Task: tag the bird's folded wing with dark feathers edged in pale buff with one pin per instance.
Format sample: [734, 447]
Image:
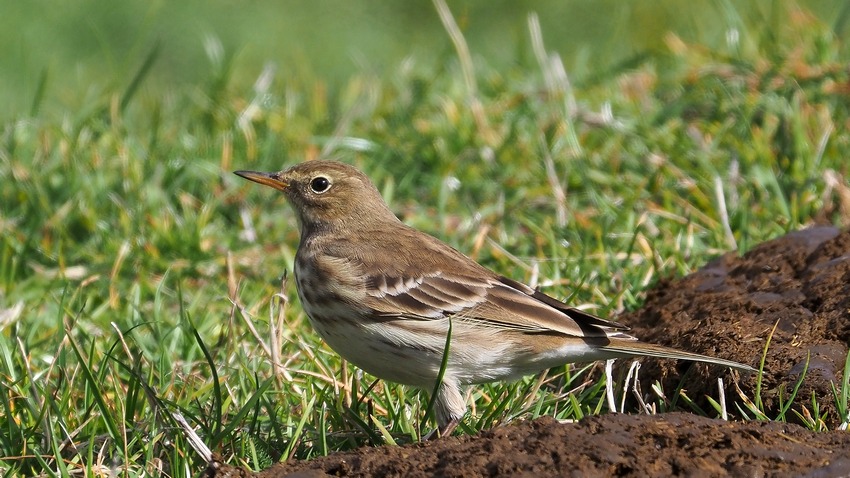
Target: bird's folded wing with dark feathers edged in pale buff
[489, 301]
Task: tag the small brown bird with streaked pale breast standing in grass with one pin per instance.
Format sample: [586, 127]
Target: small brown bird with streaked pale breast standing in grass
[384, 296]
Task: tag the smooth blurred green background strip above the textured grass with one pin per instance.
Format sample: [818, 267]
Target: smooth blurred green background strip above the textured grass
[63, 54]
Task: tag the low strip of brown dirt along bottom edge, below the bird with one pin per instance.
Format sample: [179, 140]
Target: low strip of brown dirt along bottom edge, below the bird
[610, 445]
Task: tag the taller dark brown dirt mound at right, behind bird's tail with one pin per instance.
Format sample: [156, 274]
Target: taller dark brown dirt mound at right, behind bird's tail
[800, 283]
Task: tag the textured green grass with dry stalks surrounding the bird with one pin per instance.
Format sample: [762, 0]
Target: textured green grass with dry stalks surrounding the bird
[139, 277]
